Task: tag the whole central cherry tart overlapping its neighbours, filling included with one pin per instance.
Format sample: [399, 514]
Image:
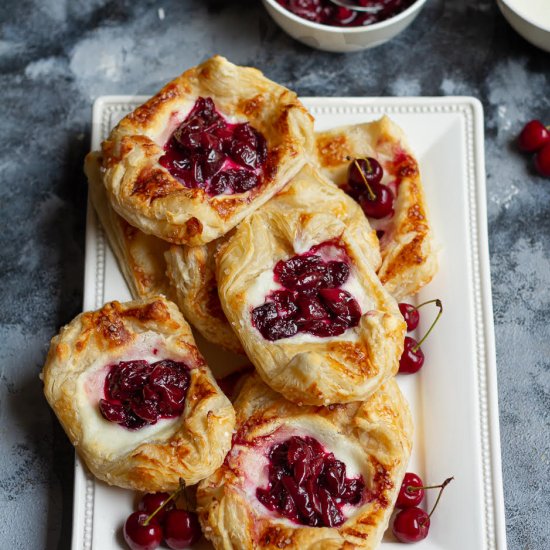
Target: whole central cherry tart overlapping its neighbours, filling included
[297, 284]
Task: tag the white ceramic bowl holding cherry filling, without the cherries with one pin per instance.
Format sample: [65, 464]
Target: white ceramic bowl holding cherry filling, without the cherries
[341, 39]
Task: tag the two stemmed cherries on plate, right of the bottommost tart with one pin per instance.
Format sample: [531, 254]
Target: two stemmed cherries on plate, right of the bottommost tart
[412, 524]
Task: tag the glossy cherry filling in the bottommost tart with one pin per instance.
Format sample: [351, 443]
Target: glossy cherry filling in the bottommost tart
[308, 485]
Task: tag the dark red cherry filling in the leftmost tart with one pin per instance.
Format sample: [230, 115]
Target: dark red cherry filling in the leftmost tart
[138, 393]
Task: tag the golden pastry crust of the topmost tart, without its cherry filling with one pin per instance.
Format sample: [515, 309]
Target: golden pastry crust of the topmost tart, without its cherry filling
[151, 199]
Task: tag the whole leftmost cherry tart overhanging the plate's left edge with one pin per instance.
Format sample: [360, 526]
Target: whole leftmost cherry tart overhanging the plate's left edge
[136, 398]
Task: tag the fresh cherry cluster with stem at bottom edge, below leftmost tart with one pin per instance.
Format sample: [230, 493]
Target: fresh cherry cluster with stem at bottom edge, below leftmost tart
[158, 519]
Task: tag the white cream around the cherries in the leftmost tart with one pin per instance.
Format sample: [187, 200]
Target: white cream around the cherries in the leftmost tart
[108, 437]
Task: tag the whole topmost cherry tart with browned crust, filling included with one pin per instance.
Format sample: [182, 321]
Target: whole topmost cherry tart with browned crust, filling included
[204, 152]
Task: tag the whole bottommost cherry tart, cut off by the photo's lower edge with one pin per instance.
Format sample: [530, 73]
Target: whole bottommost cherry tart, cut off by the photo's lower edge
[308, 477]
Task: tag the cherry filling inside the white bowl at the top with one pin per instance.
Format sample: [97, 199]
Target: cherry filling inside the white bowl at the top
[326, 13]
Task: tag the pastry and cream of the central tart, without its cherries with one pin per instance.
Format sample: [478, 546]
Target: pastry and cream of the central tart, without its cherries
[310, 369]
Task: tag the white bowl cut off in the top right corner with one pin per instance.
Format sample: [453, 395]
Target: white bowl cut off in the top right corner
[525, 22]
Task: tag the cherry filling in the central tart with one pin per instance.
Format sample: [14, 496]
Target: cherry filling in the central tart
[311, 300]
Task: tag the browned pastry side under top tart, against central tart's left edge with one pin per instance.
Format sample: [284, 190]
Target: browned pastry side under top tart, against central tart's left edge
[191, 269]
